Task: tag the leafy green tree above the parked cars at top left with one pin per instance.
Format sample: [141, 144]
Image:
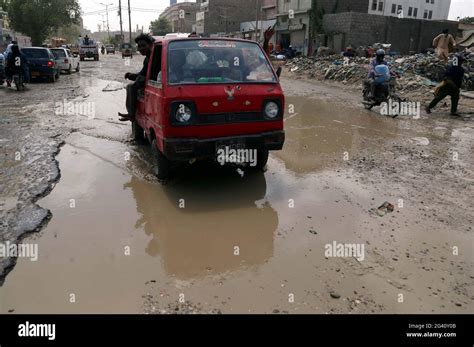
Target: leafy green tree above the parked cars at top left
[39, 19]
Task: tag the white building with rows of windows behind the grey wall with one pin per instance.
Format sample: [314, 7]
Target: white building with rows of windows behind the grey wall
[415, 9]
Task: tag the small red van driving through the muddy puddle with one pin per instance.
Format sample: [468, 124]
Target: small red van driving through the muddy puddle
[203, 95]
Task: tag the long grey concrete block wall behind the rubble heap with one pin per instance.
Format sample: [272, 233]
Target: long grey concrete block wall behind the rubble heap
[405, 35]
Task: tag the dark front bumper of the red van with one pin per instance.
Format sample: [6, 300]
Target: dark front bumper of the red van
[187, 149]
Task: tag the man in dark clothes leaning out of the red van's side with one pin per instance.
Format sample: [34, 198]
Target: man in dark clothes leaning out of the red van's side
[145, 44]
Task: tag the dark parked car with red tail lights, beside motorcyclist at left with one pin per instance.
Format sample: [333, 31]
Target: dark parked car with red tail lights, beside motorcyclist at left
[42, 63]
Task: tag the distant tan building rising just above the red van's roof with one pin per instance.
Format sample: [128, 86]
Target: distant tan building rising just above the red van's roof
[181, 16]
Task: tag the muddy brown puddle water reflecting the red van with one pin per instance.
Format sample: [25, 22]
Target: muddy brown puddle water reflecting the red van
[212, 237]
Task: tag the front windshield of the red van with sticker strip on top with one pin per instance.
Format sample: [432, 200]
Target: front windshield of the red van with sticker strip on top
[217, 61]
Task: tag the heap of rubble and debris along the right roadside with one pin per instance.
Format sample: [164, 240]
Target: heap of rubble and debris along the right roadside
[415, 71]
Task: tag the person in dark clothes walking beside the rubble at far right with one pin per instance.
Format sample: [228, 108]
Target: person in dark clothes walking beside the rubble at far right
[450, 85]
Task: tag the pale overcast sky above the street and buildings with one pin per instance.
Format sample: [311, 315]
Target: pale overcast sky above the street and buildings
[144, 11]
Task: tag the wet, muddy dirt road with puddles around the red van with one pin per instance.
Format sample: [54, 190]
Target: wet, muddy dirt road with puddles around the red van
[116, 241]
